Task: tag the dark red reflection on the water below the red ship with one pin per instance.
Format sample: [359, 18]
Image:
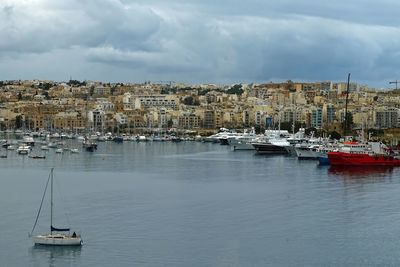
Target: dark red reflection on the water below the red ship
[361, 171]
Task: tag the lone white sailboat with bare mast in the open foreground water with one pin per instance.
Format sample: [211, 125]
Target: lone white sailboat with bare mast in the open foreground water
[57, 236]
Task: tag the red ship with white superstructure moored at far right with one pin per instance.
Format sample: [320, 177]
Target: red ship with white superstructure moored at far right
[363, 154]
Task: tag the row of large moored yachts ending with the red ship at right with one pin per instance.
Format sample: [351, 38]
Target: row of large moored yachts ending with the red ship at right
[326, 150]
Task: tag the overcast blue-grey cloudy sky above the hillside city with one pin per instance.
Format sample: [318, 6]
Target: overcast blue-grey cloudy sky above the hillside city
[202, 41]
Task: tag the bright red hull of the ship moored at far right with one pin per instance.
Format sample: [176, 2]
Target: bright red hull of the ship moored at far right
[356, 159]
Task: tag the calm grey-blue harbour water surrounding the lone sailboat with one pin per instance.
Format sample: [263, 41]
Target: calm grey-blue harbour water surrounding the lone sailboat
[198, 204]
